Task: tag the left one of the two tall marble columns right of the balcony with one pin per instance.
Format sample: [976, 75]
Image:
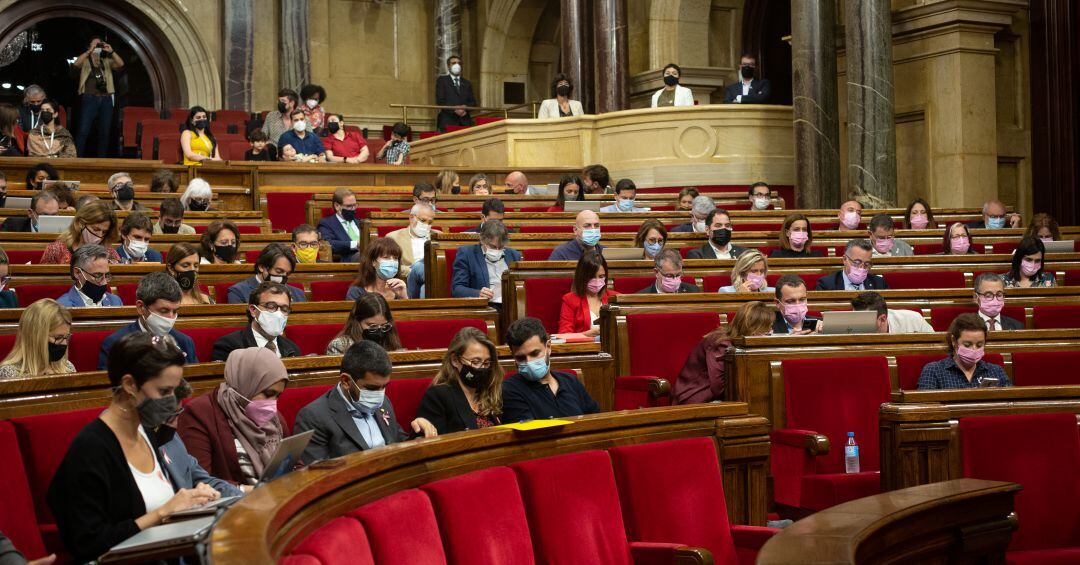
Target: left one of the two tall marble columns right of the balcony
[815, 106]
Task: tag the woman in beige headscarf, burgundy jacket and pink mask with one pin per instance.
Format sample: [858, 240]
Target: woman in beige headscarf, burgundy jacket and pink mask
[235, 431]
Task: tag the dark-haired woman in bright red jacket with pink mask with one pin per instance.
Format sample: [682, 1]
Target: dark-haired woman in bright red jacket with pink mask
[582, 306]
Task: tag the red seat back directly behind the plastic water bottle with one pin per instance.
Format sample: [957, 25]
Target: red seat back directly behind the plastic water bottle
[835, 396]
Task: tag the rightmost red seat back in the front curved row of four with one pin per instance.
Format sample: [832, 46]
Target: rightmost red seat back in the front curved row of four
[690, 508]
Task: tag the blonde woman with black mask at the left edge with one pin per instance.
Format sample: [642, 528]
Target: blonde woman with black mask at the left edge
[42, 344]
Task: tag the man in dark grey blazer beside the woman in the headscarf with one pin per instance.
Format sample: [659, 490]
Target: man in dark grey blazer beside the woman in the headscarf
[356, 415]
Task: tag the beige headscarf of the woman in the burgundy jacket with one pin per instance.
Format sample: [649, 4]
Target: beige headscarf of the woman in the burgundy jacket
[249, 372]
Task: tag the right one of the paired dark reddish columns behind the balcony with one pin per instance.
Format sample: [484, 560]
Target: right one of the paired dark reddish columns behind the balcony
[611, 38]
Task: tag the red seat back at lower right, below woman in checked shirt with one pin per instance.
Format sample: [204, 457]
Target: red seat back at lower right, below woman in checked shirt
[1042, 452]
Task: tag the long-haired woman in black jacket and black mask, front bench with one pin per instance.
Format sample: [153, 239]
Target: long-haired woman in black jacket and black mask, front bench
[467, 393]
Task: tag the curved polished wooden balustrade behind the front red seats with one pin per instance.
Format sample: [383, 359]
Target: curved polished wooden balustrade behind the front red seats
[274, 519]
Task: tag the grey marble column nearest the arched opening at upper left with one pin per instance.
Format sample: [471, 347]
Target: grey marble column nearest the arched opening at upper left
[238, 47]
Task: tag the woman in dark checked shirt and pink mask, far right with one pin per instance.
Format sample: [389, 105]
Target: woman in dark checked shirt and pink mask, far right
[965, 368]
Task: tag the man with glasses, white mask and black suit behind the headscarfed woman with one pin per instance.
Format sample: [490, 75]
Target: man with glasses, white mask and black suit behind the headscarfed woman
[268, 308]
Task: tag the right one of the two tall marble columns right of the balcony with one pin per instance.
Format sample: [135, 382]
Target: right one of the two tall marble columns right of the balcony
[872, 137]
